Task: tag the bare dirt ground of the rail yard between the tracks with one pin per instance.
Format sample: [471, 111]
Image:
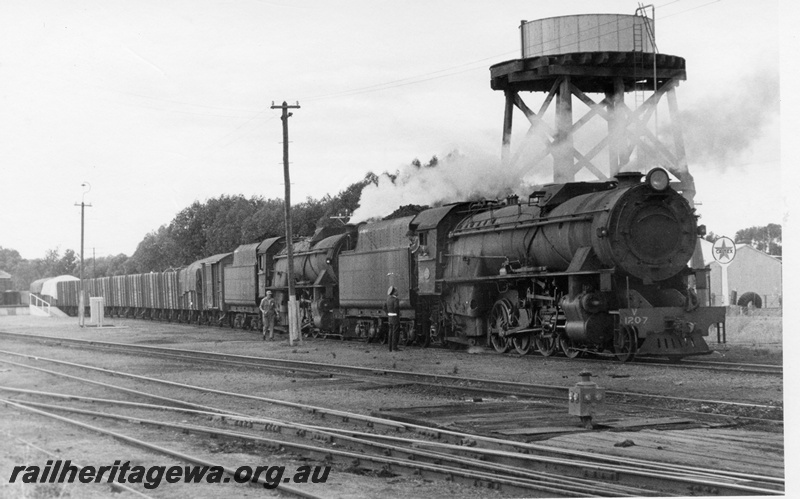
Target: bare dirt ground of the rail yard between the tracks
[22, 434]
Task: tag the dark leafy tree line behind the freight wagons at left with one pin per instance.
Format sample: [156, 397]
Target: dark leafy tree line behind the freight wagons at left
[200, 230]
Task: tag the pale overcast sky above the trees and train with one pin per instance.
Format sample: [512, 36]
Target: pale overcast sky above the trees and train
[160, 103]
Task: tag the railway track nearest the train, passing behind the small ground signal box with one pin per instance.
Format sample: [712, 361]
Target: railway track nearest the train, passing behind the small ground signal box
[439, 381]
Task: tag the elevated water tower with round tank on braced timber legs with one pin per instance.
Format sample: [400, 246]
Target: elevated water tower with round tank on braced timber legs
[611, 57]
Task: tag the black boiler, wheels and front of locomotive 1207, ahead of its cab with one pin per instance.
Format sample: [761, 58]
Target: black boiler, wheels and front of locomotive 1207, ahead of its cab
[581, 266]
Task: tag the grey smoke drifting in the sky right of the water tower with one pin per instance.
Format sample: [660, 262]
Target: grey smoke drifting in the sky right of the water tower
[721, 128]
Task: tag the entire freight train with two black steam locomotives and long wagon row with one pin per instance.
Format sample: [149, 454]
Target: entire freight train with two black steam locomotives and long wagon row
[576, 268]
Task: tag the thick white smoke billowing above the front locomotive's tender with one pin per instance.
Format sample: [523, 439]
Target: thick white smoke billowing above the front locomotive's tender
[456, 177]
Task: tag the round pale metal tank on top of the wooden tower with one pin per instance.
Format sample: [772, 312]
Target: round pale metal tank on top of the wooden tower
[586, 33]
